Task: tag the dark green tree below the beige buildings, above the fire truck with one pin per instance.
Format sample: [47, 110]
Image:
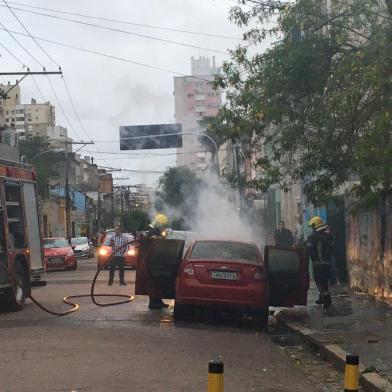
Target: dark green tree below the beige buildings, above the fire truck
[45, 164]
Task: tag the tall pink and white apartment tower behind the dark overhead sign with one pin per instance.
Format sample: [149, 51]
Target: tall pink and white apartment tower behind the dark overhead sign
[194, 99]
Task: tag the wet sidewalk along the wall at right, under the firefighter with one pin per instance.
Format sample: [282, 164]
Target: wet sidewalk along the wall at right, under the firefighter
[355, 324]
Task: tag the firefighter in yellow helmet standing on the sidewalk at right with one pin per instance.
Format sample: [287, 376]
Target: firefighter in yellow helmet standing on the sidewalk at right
[319, 245]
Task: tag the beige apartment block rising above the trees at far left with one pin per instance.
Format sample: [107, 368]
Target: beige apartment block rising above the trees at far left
[34, 119]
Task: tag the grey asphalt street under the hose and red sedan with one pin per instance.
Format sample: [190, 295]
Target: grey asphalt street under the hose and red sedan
[130, 348]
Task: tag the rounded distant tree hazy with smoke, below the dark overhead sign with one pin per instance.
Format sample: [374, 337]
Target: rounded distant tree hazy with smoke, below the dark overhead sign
[177, 195]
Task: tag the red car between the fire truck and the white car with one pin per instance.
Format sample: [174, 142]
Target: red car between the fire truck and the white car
[59, 254]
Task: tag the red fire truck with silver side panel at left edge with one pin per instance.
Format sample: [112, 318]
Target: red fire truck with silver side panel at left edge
[21, 252]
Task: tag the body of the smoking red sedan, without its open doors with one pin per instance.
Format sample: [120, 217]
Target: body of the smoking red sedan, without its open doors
[223, 275]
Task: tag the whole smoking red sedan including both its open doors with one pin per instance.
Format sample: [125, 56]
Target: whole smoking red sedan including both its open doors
[222, 275]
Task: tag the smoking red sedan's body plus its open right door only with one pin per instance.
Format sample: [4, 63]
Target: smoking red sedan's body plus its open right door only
[229, 275]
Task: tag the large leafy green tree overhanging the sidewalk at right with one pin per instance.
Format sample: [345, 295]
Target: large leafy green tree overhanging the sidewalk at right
[317, 105]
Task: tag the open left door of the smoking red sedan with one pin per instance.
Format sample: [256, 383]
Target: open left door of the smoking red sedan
[158, 262]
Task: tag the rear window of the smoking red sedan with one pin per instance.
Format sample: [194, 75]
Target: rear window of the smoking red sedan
[224, 250]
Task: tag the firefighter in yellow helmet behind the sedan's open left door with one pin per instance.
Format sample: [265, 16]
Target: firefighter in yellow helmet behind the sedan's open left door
[156, 229]
